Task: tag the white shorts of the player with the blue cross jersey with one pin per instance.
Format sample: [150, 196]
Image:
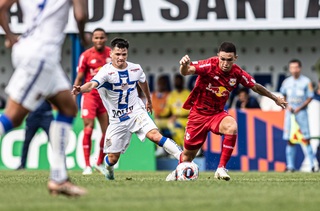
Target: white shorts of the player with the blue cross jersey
[118, 135]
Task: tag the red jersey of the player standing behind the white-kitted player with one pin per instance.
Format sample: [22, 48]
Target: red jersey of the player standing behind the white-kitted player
[91, 61]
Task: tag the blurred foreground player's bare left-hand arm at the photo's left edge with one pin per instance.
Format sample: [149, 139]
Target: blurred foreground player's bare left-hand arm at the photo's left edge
[5, 6]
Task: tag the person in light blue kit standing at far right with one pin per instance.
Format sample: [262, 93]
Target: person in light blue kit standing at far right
[297, 90]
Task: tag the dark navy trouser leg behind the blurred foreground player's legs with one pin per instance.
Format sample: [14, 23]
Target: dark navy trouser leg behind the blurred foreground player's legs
[31, 128]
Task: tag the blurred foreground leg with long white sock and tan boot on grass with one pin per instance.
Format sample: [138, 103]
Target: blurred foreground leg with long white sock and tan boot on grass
[59, 134]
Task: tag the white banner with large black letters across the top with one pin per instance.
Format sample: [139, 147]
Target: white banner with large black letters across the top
[191, 15]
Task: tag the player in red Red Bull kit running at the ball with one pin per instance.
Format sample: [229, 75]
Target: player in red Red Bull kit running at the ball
[217, 77]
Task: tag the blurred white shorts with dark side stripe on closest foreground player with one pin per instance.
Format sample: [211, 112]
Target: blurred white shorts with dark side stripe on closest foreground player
[34, 80]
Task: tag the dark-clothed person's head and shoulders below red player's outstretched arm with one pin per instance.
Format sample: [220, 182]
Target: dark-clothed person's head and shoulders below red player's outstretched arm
[245, 100]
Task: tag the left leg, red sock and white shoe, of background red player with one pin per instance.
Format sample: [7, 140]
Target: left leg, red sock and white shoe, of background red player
[87, 144]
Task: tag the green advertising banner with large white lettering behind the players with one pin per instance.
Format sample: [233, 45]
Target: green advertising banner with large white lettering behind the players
[139, 156]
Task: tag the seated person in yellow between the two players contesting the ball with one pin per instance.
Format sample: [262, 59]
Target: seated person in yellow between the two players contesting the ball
[179, 116]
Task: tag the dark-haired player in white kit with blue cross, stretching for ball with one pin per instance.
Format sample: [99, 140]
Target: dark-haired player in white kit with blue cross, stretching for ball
[117, 85]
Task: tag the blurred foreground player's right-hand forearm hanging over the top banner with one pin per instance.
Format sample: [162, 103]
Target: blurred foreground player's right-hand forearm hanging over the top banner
[80, 10]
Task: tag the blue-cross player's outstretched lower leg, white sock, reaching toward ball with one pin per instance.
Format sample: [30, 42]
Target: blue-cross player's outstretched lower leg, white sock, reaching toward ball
[168, 144]
